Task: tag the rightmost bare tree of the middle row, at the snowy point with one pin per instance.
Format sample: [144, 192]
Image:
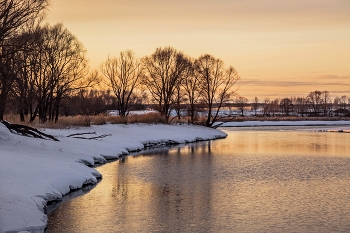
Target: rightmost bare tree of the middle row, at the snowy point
[215, 83]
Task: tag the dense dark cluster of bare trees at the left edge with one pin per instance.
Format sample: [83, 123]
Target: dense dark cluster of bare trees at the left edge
[39, 64]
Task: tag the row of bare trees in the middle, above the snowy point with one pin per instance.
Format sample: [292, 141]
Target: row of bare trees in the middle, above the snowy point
[172, 79]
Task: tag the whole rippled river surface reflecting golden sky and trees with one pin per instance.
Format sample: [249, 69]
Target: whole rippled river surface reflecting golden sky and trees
[253, 181]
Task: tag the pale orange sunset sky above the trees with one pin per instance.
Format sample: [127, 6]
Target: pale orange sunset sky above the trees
[281, 48]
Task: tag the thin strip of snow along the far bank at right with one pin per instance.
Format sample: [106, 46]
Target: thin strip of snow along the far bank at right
[283, 123]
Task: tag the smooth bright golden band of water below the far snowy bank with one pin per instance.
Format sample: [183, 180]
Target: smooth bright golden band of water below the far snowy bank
[264, 143]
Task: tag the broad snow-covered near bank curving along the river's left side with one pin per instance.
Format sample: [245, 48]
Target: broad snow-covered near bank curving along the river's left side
[34, 171]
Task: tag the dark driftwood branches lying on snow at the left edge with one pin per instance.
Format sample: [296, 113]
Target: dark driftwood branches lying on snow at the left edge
[28, 131]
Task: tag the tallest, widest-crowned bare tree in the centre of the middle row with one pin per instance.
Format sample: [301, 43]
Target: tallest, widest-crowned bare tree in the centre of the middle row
[164, 72]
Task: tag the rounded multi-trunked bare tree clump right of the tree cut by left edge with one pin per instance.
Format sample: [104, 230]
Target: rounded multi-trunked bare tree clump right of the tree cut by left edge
[56, 66]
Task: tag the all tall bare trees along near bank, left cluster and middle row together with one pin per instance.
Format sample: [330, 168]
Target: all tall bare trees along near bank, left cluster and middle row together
[41, 66]
